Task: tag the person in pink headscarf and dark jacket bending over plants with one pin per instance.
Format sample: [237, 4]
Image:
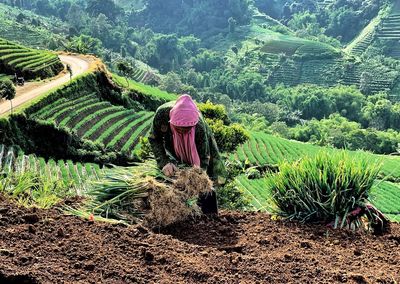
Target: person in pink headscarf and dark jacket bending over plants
[180, 135]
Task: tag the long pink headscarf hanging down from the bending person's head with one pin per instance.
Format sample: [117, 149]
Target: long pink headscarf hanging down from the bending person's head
[185, 114]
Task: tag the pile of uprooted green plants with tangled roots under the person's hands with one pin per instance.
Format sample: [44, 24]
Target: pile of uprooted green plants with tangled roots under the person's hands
[143, 194]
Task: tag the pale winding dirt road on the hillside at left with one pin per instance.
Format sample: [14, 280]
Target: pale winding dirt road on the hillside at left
[32, 90]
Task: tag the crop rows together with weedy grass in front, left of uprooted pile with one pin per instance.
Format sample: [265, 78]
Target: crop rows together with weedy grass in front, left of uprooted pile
[56, 179]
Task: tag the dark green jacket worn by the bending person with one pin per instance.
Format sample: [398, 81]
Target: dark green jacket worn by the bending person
[162, 143]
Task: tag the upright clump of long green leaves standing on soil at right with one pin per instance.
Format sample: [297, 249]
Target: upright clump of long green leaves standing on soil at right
[330, 187]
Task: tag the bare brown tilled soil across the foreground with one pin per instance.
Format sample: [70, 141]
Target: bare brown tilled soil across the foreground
[38, 246]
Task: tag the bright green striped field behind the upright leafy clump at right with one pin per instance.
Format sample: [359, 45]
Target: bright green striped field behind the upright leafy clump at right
[263, 149]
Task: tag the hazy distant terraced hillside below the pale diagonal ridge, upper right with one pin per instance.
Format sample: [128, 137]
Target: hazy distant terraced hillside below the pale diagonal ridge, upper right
[289, 60]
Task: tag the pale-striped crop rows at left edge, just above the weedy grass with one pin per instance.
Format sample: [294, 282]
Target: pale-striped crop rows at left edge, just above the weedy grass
[75, 175]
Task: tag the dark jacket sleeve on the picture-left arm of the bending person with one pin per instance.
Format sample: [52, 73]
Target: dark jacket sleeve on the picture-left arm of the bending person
[156, 139]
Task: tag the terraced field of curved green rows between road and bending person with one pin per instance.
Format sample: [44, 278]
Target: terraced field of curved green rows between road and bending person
[98, 120]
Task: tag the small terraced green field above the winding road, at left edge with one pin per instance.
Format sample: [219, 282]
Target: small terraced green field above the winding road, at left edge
[30, 63]
